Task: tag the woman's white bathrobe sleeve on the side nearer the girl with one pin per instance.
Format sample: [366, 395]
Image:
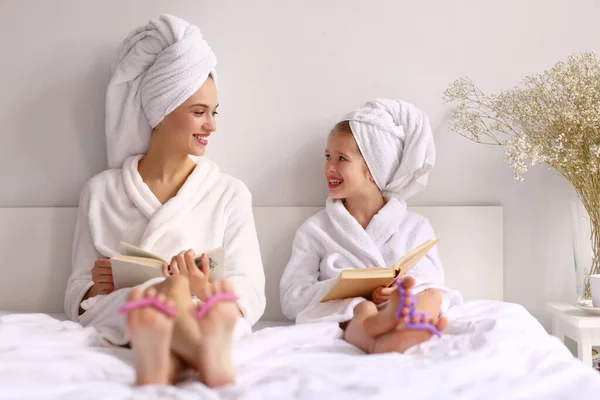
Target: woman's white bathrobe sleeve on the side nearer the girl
[243, 262]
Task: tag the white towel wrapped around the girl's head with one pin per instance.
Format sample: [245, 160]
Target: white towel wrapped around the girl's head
[397, 144]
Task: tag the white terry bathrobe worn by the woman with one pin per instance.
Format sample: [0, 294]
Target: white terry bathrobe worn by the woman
[210, 210]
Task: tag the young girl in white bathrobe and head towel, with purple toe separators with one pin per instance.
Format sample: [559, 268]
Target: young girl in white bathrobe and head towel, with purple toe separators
[376, 158]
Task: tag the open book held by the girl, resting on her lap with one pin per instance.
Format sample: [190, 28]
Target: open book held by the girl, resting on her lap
[361, 282]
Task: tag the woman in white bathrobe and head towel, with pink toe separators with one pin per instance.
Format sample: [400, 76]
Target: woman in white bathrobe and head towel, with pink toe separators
[163, 197]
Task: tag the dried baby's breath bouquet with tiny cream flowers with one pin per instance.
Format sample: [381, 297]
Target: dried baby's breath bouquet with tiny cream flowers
[550, 118]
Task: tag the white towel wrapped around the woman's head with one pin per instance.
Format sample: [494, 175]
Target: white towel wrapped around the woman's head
[158, 67]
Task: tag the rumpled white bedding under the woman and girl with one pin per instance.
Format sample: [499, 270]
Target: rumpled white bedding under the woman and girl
[491, 350]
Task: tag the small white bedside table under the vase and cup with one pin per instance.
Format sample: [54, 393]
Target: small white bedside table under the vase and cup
[583, 328]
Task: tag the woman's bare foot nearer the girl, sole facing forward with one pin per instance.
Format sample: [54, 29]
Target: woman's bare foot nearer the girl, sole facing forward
[216, 329]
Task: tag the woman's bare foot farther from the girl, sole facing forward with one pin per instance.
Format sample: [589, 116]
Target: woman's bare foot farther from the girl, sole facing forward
[150, 331]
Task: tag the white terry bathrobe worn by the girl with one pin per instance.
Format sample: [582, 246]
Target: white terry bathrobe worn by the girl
[332, 240]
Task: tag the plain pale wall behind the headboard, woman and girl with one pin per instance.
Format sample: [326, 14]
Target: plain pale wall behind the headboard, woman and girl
[287, 70]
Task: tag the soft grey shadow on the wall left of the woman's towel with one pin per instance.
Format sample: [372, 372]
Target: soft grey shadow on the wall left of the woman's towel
[60, 130]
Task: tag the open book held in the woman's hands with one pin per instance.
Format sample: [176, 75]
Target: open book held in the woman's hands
[135, 266]
